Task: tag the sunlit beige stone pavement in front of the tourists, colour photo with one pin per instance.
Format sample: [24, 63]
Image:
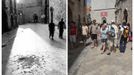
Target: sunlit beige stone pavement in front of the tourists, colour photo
[95, 63]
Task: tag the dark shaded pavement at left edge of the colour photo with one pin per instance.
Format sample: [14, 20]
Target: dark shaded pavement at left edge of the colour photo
[77, 51]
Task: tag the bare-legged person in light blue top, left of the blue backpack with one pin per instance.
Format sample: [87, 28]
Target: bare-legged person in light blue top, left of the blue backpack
[104, 37]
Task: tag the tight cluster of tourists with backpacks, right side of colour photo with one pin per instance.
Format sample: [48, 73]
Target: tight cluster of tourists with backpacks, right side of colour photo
[115, 36]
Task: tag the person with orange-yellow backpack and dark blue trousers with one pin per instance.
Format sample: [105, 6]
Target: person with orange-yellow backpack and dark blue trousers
[124, 36]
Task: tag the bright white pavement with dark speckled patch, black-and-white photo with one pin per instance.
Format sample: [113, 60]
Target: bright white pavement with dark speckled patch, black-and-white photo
[33, 53]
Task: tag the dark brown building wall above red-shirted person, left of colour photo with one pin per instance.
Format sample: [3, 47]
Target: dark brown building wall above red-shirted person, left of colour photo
[76, 11]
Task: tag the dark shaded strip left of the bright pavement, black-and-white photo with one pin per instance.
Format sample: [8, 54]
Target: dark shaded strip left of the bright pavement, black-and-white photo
[6, 49]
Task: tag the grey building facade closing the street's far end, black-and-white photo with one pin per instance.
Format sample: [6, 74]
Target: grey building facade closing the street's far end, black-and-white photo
[26, 9]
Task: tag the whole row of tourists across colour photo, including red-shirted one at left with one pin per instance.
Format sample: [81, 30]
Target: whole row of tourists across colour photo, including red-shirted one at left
[112, 35]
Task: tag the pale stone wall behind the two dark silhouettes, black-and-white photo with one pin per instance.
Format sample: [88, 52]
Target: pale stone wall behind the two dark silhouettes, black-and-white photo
[59, 11]
